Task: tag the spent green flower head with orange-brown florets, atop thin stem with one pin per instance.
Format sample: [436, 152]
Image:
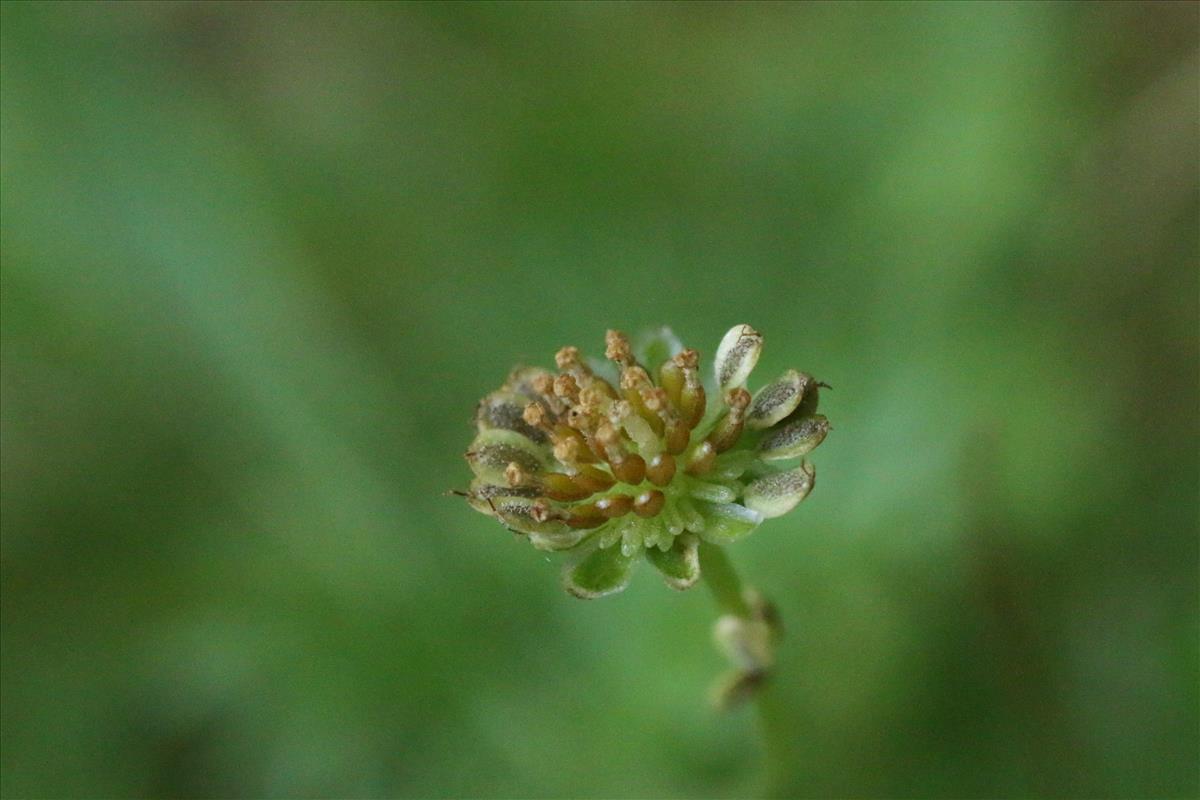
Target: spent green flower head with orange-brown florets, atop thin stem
[616, 460]
